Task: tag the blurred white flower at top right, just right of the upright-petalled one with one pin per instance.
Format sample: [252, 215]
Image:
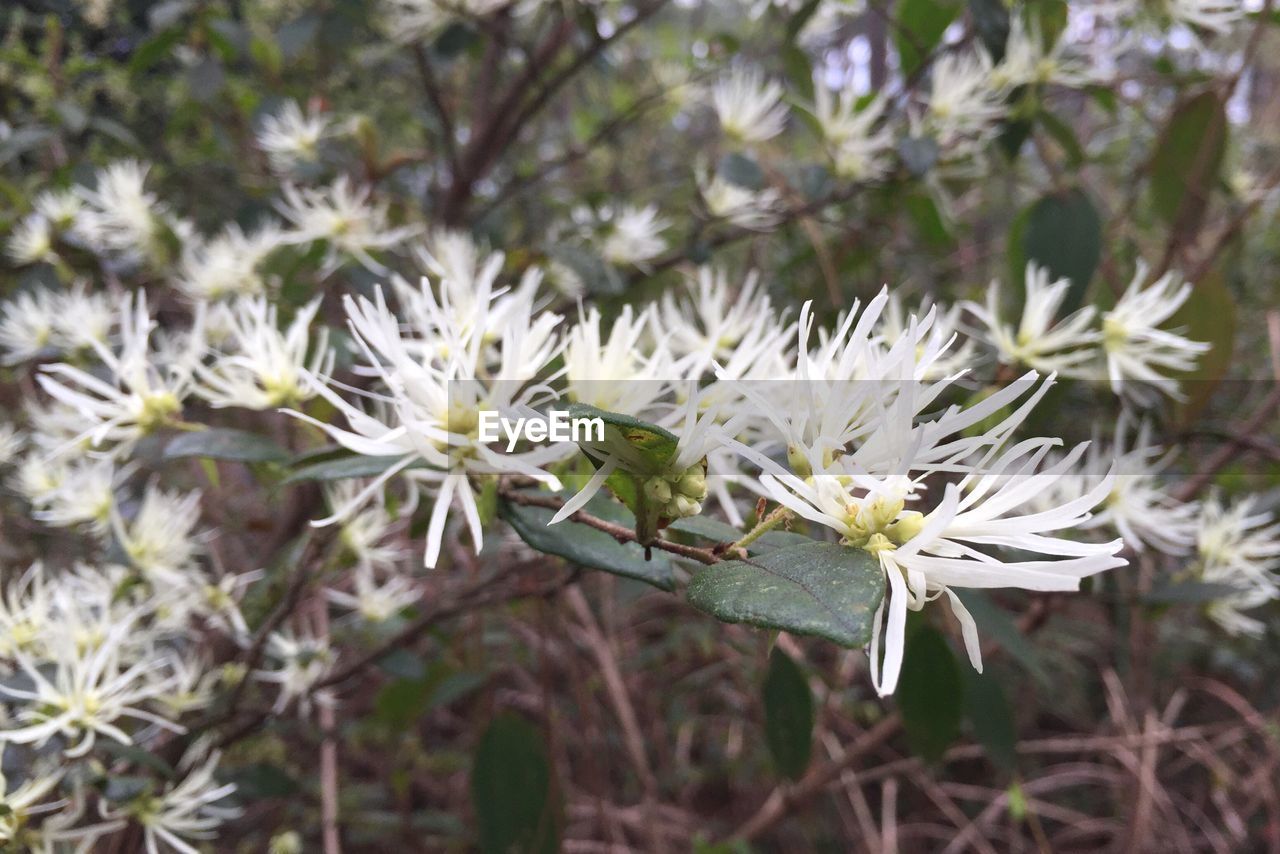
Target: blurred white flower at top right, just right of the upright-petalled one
[964, 104]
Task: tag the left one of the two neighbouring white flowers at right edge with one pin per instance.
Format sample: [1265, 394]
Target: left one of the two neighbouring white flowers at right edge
[1041, 341]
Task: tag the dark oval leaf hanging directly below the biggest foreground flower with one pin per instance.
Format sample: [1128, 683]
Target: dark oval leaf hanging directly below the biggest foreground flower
[930, 693]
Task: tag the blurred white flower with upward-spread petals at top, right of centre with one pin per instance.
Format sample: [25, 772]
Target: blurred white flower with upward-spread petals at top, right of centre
[860, 152]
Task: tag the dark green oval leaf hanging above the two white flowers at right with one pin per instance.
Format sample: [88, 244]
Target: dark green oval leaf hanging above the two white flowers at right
[1064, 235]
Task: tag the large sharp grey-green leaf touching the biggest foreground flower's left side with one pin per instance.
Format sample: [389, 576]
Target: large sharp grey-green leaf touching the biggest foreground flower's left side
[815, 590]
